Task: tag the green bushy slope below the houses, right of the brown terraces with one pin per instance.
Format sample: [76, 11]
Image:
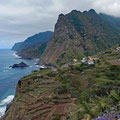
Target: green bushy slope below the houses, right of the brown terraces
[95, 87]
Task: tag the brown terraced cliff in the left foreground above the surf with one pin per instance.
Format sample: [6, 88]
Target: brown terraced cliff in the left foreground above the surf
[36, 99]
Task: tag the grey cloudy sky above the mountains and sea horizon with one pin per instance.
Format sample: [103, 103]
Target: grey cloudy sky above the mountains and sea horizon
[20, 19]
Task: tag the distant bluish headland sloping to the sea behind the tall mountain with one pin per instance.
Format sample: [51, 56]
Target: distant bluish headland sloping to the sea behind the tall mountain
[33, 46]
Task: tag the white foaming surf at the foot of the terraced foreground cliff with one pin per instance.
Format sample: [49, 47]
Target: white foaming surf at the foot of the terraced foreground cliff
[4, 103]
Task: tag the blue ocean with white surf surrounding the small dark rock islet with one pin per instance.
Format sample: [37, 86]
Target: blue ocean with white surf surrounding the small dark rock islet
[9, 77]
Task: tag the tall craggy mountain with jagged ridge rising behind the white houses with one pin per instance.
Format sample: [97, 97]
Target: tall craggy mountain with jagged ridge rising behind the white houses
[79, 34]
